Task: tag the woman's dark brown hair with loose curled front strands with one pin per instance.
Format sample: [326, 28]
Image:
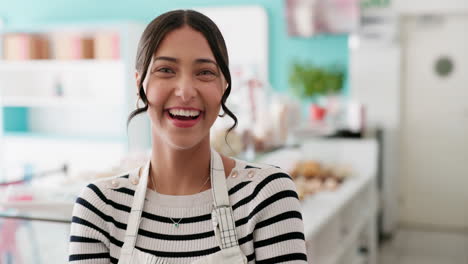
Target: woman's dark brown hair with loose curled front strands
[167, 22]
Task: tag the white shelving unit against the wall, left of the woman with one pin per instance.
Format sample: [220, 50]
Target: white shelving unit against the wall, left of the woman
[70, 111]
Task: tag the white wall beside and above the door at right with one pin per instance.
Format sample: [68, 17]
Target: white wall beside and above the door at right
[375, 81]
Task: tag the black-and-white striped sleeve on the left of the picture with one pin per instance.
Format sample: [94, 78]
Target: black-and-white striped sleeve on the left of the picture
[89, 234]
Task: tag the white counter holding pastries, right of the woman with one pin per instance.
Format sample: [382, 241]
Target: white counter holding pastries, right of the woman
[338, 224]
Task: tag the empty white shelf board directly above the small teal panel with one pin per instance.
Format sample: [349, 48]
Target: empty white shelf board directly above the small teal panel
[29, 101]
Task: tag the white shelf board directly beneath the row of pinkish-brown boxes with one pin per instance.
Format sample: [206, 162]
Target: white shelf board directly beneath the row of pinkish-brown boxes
[60, 65]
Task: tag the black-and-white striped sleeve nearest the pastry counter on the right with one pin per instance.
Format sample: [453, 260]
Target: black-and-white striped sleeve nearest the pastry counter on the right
[279, 229]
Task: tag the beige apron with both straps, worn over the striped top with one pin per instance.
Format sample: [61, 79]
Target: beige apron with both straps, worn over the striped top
[222, 217]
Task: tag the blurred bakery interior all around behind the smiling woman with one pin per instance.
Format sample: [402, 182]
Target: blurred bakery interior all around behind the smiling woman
[371, 124]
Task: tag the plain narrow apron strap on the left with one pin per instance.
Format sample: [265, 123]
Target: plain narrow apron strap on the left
[134, 219]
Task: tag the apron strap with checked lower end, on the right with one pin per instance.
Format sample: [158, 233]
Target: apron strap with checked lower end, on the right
[222, 215]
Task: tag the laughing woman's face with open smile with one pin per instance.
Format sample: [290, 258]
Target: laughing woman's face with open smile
[184, 89]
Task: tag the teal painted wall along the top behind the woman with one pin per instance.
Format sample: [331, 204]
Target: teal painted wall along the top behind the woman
[283, 50]
